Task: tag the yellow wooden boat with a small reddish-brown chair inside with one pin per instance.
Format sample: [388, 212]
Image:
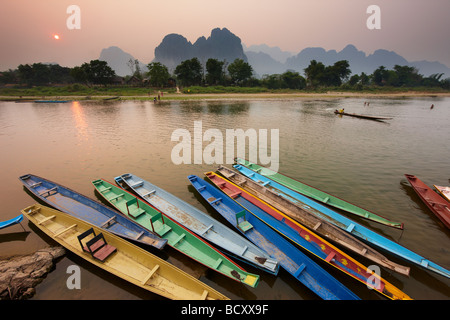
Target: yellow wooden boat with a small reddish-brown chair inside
[118, 256]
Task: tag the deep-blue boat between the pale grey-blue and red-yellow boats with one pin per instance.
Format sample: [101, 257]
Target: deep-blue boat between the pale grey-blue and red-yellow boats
[290, 258]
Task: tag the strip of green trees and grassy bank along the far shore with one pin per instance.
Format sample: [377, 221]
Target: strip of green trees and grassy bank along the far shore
[96, 79]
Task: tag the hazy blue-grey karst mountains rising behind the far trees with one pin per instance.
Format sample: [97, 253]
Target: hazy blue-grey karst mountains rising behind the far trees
[224, 45]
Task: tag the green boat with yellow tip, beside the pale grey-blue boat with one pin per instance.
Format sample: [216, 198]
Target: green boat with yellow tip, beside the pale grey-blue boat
[177, 236]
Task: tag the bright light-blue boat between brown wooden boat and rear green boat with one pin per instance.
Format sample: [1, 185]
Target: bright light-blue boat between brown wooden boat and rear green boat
[343, 222]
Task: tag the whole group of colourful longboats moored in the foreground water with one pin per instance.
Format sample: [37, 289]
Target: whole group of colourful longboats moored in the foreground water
[276, 222]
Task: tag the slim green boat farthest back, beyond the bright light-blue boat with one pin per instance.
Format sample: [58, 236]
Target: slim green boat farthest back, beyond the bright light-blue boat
[318, 195]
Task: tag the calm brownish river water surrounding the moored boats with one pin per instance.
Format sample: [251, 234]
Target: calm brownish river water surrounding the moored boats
[359, 160]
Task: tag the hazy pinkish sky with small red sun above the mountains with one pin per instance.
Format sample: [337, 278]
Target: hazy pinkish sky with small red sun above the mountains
[415, 29]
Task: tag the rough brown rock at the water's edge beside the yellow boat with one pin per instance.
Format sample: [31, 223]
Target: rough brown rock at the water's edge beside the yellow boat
[20, 274]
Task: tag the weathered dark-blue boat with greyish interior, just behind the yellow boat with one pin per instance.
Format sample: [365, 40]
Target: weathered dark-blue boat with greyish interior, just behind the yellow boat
[84, 208]
